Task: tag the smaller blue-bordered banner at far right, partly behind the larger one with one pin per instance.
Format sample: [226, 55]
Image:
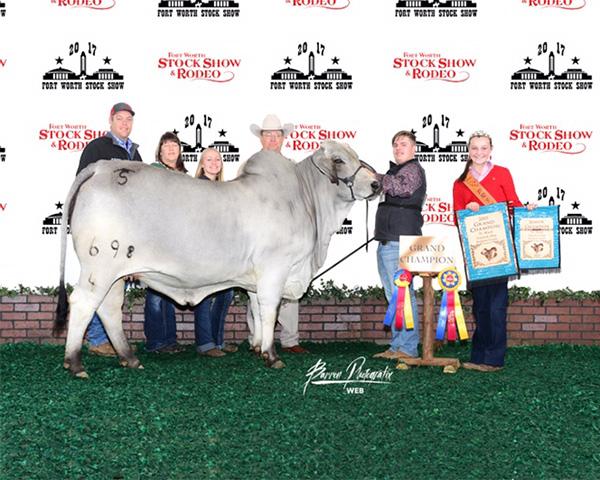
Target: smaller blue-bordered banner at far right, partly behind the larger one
[537, 238]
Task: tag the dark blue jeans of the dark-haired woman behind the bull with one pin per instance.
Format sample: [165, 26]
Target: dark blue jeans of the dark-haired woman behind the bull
[159, 321]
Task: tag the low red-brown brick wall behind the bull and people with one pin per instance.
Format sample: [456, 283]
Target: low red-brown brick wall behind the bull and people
[30, 318]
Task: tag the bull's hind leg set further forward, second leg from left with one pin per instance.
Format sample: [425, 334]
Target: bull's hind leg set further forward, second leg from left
[111, 314]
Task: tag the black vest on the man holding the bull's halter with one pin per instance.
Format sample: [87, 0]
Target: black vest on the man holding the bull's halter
[401, 215]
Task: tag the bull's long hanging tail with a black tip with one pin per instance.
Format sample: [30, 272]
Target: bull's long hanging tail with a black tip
[62, 308]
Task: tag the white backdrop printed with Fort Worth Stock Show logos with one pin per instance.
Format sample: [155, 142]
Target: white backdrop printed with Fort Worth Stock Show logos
[443, 77]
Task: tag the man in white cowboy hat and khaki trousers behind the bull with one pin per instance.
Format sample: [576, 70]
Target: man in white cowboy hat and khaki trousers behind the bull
[271, 134]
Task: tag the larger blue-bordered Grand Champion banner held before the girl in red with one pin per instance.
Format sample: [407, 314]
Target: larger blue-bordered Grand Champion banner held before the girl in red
[487, 243]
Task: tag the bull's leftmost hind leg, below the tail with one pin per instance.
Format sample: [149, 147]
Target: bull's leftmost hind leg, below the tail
[83, 304]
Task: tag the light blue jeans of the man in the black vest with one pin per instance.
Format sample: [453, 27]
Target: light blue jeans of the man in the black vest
[406, 341]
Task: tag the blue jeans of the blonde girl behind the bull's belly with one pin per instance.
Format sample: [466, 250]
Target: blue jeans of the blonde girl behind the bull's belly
[209, 320]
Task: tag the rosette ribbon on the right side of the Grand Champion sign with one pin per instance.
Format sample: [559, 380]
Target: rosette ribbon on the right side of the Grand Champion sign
[451, 314]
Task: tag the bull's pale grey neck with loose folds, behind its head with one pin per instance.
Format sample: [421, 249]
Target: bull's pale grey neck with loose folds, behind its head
[326, 207]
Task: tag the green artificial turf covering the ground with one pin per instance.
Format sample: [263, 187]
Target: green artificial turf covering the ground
[189, 417]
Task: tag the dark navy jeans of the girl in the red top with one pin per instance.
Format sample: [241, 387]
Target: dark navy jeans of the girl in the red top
[490, 303]
